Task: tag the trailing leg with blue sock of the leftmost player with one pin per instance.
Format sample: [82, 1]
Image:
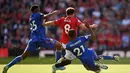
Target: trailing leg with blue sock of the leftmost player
[20, 57]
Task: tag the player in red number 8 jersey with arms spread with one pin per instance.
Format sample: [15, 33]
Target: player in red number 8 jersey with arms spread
[67, 23]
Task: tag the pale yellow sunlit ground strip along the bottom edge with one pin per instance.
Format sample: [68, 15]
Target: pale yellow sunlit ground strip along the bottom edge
[73, 68]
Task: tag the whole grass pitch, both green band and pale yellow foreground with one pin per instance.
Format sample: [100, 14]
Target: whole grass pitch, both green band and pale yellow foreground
[43, 65]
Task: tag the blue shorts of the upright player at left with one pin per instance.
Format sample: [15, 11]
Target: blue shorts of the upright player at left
[33, 45]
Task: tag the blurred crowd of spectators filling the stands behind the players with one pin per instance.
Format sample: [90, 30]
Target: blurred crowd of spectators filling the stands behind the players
[112, 16]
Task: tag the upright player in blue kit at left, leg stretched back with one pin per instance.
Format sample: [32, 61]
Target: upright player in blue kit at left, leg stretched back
[38, 36]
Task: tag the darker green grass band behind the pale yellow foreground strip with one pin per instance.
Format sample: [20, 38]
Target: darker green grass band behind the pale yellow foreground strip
[51, 60]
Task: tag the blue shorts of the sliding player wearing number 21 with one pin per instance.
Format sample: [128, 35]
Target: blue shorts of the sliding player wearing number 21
[89, 58]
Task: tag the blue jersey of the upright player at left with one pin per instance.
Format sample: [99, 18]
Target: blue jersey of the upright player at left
[37, 29]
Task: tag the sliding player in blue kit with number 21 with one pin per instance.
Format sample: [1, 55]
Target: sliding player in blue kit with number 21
[77, 46]
